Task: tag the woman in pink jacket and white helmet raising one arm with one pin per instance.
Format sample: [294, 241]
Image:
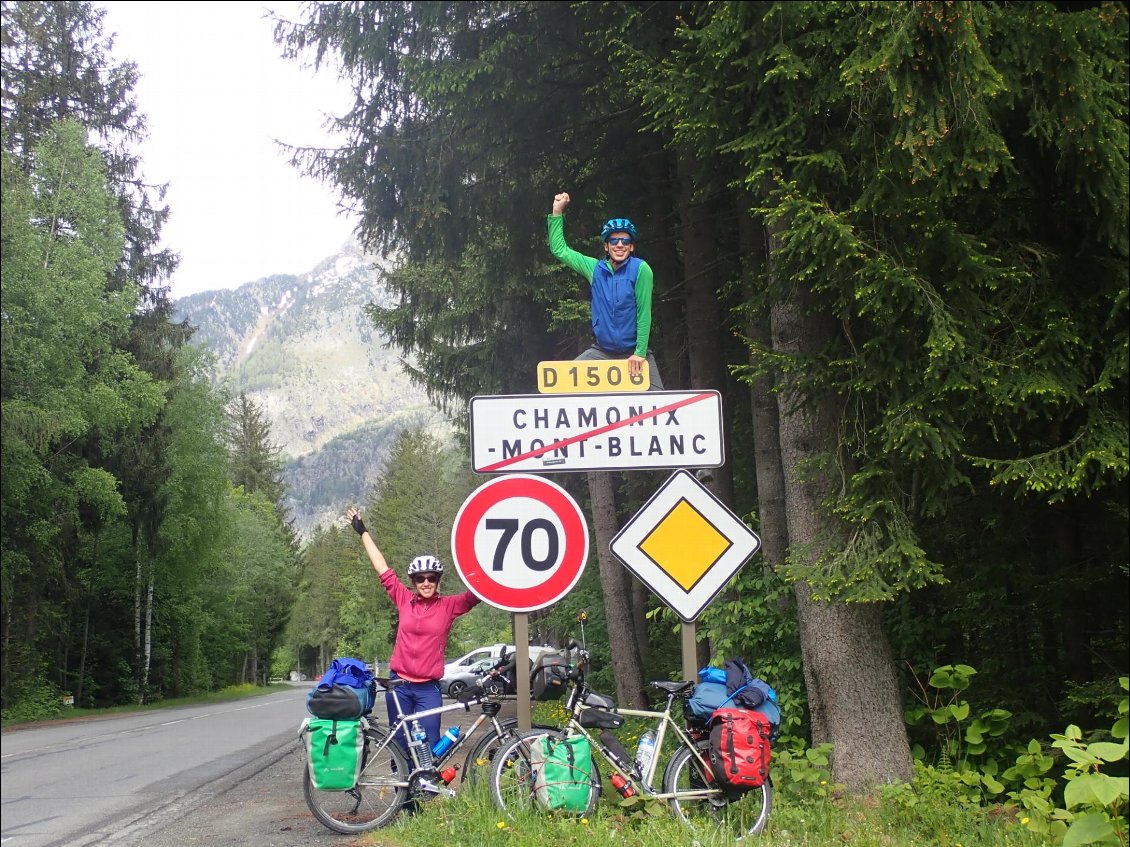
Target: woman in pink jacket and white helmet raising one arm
[422, 635]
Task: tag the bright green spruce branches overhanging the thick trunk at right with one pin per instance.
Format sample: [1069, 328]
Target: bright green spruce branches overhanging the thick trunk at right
[927, 221]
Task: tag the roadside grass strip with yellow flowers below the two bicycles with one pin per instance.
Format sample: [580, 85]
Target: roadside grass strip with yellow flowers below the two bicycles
[471, 820]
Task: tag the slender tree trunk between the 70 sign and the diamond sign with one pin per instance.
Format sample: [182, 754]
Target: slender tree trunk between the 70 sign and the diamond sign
[614, 580]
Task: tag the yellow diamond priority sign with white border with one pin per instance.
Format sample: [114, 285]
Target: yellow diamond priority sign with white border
[685, 545]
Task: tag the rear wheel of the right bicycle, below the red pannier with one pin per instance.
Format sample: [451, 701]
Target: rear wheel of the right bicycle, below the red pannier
[737, 815]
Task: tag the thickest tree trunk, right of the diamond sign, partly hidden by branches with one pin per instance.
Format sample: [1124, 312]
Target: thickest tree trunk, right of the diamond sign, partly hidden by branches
[853, 687]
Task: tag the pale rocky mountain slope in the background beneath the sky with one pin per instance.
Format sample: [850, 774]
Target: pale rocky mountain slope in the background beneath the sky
[303, 351]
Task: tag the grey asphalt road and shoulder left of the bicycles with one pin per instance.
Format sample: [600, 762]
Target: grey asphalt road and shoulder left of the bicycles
[220, 775]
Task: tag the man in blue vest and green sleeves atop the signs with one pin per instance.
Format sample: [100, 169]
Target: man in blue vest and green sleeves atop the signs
[622, 286]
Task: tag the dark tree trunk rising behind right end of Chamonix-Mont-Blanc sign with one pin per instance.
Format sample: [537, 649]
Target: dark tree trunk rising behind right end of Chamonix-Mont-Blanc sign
[706, 325]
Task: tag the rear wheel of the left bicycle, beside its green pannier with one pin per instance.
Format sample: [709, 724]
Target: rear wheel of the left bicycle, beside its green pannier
[381, 790]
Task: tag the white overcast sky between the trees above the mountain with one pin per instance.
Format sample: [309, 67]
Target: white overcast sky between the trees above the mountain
[216, 95]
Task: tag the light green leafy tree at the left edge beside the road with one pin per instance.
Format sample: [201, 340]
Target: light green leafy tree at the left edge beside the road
[67, 383]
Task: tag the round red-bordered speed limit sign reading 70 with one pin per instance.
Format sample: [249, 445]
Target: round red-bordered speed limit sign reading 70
[520, 543]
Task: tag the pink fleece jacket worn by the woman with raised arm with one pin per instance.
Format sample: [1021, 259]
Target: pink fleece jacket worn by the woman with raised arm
[425, 625]
